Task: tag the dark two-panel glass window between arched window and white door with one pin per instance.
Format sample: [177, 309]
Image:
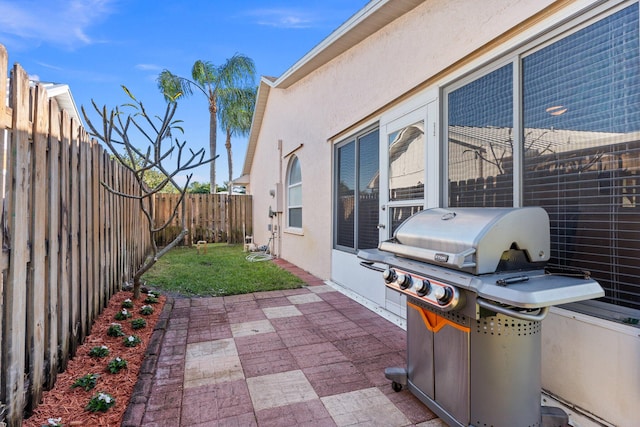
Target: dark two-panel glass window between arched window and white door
[357, 192]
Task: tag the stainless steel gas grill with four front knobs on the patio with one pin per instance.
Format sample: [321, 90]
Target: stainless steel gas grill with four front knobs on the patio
[477, 290]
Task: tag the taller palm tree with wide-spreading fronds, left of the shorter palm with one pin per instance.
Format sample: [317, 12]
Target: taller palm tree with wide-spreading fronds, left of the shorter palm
[215, 82]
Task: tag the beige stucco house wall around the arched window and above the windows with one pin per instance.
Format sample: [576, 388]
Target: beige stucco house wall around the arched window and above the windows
[352, 88]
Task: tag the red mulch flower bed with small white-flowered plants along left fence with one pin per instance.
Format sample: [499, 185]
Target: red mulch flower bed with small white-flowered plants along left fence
[67, 403]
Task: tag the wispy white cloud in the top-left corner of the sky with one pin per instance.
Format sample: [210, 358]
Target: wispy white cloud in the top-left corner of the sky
[59, 22]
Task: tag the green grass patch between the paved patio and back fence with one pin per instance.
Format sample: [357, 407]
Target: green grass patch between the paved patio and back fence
[223, 270]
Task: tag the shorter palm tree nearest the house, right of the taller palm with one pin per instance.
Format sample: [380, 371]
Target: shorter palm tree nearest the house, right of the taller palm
[236, 113]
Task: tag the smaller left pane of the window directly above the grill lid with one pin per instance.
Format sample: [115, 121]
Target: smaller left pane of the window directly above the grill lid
[480, 141]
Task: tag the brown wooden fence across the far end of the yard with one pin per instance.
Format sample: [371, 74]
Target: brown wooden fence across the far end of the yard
[210, 217]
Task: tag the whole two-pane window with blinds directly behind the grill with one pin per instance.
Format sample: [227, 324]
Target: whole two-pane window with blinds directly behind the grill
[576, 144]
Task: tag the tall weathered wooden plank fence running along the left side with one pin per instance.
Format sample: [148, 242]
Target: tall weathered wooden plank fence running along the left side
[67, 244]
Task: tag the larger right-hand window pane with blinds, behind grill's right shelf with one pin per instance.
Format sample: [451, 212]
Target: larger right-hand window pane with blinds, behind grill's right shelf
[581, 109]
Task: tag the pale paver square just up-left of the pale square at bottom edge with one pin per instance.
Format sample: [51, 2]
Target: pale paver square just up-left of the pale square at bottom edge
[270, 391]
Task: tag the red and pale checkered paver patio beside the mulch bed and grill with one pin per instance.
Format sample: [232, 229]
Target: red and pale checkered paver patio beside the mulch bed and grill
[302, 357]
